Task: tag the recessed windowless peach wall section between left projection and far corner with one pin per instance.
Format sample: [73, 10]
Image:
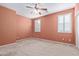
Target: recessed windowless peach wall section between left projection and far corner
[24, 27]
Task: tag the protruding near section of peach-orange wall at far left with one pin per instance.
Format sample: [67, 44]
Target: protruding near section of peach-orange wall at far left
[7, 25]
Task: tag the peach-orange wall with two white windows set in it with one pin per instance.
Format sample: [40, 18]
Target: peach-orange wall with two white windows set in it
[49, 28]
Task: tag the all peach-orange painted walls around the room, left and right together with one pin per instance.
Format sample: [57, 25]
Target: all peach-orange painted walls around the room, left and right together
[14, 27]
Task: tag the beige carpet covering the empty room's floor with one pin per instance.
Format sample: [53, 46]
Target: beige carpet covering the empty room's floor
[38, 47]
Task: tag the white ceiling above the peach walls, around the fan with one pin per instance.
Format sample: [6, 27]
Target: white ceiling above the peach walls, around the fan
[52, 8]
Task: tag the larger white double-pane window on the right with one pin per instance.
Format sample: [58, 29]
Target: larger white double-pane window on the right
[65, 23]
